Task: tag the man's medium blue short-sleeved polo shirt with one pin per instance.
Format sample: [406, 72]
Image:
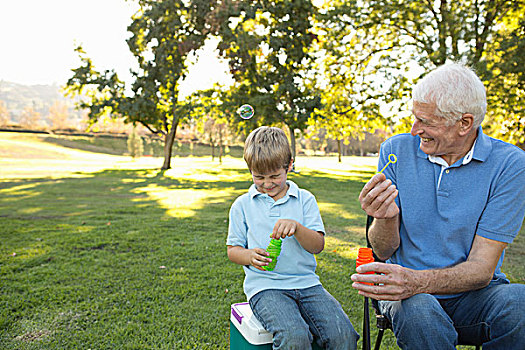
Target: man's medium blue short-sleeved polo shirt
[442, 208]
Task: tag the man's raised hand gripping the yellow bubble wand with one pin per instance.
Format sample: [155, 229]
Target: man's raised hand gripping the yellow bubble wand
[377, 198]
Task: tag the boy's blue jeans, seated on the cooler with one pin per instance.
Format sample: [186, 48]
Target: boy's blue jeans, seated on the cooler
[293, 315]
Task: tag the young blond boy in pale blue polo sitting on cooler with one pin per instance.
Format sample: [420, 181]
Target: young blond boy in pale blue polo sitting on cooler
[289, 301]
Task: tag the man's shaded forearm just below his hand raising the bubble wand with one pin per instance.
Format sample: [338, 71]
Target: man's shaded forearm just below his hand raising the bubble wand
[384, 236]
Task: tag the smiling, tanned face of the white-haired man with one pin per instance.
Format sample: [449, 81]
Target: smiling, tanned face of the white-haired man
[437, 137]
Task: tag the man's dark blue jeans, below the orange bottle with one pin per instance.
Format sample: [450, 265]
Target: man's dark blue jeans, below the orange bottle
[494, 315]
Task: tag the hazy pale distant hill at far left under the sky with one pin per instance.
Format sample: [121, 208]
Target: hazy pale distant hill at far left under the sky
[40, 97]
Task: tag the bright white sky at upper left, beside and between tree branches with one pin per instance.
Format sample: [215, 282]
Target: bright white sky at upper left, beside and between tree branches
[38, 38]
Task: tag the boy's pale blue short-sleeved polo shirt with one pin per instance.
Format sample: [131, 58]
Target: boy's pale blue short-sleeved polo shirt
[252, 218]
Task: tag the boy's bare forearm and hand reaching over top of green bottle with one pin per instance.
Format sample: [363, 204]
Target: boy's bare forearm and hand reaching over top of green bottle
[312, 241]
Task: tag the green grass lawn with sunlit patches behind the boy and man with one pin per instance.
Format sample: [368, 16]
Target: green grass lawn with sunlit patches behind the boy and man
[102, 252]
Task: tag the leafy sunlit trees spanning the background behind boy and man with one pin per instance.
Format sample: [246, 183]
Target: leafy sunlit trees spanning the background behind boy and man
[345, 67]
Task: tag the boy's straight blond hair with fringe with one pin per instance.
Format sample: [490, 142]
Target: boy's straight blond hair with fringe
[267, 149]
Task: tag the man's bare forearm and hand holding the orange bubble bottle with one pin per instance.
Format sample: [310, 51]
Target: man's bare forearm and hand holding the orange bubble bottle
[398, 283]
